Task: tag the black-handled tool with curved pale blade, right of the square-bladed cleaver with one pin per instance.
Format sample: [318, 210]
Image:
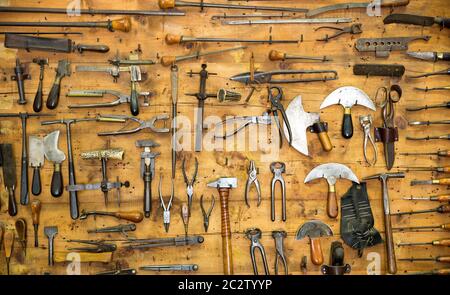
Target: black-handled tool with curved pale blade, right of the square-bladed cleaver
[53, 154]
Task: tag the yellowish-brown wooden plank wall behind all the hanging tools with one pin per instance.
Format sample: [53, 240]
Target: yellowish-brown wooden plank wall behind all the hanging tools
[304, 202]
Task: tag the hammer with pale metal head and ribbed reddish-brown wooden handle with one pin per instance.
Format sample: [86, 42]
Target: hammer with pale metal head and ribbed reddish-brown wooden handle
[224, 185]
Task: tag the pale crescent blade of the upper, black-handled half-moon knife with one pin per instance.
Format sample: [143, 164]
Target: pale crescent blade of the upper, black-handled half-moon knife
[348, 96]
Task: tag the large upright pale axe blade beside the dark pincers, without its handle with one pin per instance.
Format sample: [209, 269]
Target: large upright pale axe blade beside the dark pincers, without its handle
[300, 121]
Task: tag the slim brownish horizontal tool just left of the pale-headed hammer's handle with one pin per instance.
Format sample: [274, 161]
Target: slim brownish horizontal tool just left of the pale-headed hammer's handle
[164, 242]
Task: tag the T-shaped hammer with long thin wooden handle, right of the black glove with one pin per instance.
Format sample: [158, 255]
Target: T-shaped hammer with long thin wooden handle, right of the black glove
[383, 177]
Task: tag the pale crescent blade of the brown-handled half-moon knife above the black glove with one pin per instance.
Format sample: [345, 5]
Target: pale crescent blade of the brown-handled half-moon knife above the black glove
[331, 172]
